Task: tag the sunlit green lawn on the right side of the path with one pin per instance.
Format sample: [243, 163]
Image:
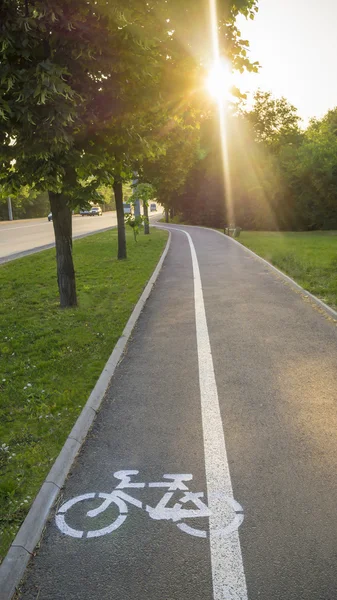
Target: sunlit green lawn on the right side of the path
[310, 258]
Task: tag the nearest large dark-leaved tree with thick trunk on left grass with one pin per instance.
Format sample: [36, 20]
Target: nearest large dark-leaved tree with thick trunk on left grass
[68, 70]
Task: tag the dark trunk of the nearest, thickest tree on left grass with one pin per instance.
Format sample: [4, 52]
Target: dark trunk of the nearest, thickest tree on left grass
[62, 222]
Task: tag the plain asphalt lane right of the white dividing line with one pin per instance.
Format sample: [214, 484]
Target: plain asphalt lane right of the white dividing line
[275, 360]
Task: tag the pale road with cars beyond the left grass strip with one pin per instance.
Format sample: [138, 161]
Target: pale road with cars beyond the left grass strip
[22, 236]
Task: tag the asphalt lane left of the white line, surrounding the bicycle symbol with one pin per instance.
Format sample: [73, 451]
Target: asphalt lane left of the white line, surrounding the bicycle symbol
[149, 422]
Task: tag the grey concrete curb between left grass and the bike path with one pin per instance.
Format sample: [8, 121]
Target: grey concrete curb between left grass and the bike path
[29, 534]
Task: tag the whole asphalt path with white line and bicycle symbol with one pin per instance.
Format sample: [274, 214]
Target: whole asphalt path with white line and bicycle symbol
[243, 358]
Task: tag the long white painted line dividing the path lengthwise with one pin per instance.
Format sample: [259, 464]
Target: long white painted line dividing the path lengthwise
[228, 576]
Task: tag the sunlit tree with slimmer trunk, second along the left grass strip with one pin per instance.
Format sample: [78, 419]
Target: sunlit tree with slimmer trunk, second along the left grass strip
[176, 96]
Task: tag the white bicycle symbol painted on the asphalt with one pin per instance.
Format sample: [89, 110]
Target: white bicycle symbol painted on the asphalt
[160, 512]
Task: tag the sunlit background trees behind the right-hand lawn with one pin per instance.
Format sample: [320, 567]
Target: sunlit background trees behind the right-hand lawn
[282, 177]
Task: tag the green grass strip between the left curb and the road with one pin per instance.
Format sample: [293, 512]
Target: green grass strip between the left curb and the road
[50, 359]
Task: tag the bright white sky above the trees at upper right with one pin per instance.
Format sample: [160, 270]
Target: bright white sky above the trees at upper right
[295, 42]
